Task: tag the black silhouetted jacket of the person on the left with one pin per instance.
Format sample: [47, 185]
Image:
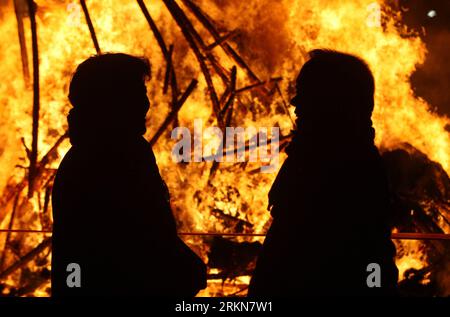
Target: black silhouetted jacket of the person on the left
[112, 216]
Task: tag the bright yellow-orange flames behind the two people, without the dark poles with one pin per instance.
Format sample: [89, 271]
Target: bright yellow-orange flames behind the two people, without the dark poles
[271, 36]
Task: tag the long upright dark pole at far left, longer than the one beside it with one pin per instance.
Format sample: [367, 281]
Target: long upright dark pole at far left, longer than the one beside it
[35, 127]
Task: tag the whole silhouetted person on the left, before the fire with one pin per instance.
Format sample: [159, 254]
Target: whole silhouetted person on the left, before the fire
[110, 205]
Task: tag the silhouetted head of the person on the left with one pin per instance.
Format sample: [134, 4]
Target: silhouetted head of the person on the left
[109, 98]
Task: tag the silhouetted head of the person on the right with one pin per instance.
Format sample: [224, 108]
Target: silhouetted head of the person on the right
[335, 95]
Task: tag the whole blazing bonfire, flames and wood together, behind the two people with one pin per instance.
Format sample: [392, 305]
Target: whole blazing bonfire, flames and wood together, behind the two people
[226, 63]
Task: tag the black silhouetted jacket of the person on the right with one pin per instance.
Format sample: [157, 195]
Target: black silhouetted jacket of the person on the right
[330, 208]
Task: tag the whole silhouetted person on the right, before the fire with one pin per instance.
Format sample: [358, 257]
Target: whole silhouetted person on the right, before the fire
[330, 200]
